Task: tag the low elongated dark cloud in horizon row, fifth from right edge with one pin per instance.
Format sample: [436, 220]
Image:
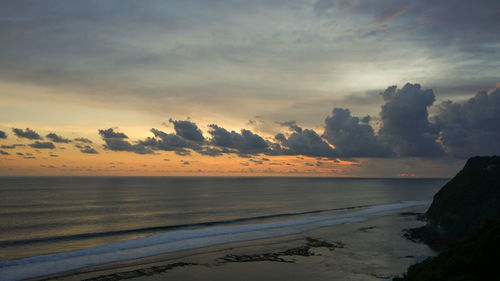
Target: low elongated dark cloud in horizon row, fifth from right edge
[245, 142]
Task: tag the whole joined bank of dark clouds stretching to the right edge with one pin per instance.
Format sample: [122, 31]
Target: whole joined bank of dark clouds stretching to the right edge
[458, 130]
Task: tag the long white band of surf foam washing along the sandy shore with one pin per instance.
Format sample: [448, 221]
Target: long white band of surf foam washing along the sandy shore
[179, 240]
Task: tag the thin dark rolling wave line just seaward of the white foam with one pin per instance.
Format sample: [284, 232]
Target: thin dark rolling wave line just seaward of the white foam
[16, 242]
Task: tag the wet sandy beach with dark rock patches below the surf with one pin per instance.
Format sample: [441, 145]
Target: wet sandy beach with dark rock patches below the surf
[374, 249]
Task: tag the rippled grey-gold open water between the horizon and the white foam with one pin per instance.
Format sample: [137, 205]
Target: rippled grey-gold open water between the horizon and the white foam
[41, 215]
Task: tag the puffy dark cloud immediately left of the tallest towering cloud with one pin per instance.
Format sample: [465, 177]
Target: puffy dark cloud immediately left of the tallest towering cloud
[350, 137]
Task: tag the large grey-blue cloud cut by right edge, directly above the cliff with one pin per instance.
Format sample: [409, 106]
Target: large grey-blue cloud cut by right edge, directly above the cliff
[473, 127]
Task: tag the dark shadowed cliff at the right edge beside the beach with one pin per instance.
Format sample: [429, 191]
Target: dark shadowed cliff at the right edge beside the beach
[464, 223]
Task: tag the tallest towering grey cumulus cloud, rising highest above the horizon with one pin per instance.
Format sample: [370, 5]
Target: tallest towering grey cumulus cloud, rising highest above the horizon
[405, 122]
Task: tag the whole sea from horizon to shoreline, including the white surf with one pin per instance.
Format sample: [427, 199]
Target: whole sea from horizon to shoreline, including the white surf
[55, 224]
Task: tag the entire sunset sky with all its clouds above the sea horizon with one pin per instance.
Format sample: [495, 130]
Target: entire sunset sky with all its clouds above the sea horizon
[334, 88]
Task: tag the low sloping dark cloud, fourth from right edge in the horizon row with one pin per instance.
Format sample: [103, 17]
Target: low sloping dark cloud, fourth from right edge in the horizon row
[303, 142]
